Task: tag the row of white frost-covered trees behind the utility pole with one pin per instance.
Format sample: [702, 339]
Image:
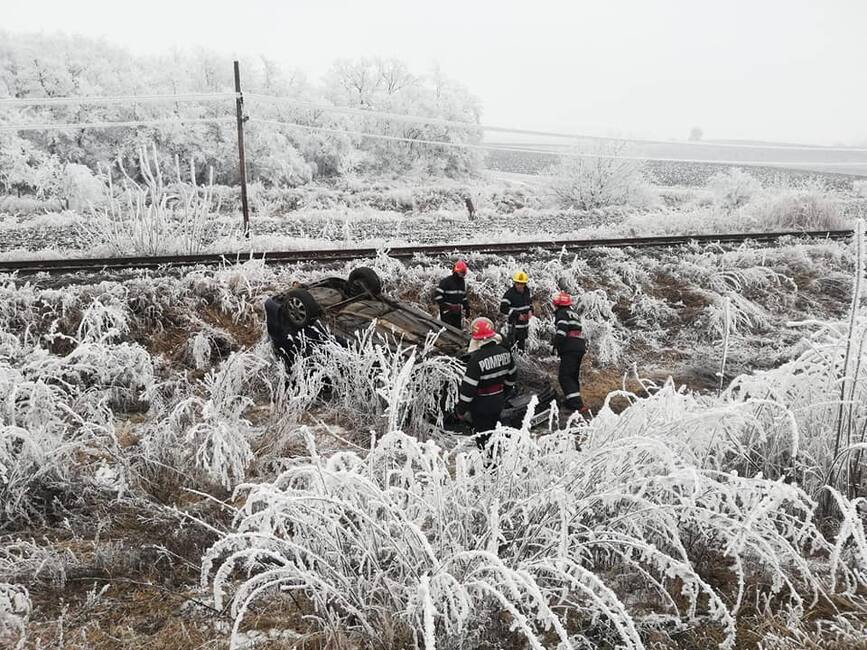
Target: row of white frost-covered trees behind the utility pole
[56, 65]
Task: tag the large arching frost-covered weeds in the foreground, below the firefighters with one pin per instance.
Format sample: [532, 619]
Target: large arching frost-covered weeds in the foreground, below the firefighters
[415, 545]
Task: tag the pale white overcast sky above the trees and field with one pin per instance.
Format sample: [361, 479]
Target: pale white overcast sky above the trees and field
[780, 70]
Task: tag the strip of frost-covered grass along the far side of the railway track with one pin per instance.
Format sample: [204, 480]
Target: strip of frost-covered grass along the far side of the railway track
[162, 217]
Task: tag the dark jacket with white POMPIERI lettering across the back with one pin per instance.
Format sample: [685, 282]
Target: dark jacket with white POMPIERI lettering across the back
[490, 374]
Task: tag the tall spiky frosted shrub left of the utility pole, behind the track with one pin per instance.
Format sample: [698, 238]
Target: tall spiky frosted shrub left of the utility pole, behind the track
[148, 219]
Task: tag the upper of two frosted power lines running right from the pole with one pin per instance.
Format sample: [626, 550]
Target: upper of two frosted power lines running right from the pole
[418, 119]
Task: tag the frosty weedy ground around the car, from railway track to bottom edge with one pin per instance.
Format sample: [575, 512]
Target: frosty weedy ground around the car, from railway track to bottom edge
[162, 485]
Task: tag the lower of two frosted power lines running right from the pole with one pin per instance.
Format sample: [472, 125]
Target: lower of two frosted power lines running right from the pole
[546, 152]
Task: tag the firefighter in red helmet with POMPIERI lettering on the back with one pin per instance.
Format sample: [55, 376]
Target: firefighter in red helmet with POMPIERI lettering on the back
[489, 378]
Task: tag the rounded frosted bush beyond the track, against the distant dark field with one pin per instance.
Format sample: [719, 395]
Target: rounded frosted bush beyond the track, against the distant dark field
[600, 180]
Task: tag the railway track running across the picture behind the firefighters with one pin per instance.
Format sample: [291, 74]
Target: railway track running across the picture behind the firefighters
[63, 266]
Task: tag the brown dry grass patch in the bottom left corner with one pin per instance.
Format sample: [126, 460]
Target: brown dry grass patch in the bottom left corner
[146, 558]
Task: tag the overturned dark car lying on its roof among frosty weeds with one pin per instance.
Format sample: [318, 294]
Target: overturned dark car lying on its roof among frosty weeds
[350, 306]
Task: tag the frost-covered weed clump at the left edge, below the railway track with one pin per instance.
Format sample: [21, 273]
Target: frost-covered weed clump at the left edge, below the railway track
[55, 409]
